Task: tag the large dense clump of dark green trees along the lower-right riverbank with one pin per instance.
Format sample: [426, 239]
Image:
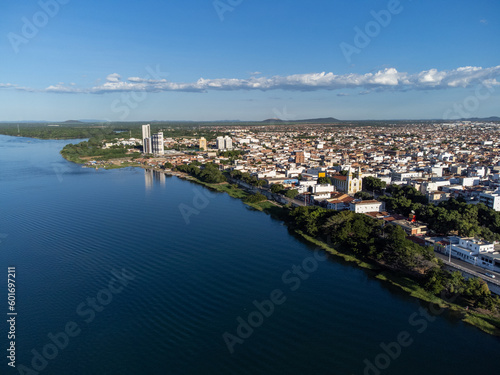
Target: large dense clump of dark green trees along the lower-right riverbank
[388, 245]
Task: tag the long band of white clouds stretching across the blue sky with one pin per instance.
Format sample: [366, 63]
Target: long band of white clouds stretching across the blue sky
[387, 79]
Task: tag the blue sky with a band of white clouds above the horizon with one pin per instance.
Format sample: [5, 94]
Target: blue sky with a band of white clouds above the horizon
[249, 59]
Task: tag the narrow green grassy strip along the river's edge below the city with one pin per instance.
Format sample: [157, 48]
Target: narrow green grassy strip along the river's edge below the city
[484, 322]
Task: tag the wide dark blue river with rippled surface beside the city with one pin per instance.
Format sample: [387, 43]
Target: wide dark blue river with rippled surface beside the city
[69, 231]
